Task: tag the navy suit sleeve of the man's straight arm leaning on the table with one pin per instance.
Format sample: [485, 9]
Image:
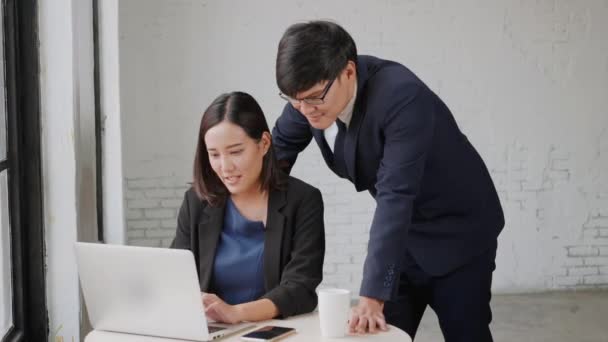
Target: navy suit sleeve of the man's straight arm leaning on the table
[408, 131]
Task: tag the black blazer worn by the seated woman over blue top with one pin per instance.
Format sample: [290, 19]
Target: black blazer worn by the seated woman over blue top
[294, 246]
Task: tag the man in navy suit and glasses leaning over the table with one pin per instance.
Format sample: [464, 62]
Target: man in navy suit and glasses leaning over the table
[433, 236]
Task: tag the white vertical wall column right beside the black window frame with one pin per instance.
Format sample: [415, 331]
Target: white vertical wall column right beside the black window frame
[59, 106]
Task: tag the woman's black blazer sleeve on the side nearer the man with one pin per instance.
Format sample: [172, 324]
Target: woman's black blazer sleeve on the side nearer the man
[303, 273]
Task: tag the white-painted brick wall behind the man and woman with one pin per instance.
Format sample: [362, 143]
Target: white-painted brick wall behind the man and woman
[526, 81]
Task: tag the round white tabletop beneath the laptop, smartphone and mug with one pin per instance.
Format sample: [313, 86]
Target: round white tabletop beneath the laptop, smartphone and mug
[307, 327]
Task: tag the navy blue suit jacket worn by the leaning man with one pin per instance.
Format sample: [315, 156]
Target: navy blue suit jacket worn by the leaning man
[434, 193]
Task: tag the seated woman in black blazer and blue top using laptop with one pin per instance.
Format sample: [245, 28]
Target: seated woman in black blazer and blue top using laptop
[257, 235]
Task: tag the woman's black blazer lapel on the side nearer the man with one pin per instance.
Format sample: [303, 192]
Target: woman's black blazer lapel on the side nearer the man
[273, 241]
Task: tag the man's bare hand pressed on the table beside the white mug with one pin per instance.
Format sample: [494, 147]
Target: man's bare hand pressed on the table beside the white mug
[367, 317]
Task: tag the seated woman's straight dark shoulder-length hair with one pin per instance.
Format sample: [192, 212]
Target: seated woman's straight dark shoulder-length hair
[242, 110]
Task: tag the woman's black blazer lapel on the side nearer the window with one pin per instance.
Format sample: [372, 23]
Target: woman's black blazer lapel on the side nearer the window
[210, 227]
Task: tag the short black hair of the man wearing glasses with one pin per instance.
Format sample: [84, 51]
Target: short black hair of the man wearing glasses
[312, 52]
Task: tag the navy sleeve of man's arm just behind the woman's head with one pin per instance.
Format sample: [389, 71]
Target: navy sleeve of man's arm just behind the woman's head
[290, 136]
